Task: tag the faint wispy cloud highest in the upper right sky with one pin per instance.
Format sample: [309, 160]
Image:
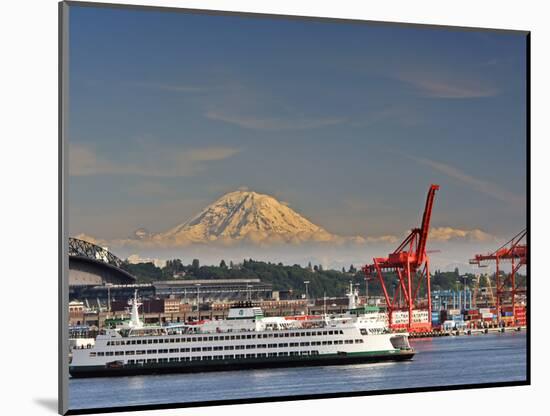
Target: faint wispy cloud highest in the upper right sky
[436, 85]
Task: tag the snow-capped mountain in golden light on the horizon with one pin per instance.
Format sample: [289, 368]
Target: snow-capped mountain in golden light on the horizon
[245, 215]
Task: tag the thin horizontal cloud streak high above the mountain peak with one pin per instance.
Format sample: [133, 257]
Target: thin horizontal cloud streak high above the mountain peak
[273, 123]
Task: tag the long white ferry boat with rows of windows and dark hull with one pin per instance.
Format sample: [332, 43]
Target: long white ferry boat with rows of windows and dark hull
[245, 339]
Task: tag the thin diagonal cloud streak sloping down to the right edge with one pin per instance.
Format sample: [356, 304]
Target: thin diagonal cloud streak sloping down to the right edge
[489, 188]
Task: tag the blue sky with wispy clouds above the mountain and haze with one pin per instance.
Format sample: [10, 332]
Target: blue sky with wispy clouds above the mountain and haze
[348, 123]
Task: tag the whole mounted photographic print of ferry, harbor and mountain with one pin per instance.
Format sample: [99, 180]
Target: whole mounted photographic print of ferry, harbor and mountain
[259, 207]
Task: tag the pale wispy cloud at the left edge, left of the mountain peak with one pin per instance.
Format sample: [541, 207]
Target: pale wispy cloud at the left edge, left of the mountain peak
[166, 162]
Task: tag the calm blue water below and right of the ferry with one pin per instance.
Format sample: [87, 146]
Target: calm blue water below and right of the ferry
[439, 361]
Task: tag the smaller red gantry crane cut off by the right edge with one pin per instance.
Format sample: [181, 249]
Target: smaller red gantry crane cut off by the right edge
[514, 252]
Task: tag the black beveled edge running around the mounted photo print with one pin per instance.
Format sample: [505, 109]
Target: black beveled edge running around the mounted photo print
[63, 231]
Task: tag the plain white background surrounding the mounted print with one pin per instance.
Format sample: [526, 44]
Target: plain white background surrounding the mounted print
[28, 208]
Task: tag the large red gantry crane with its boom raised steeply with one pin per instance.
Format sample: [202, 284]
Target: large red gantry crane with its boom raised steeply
[412, 266]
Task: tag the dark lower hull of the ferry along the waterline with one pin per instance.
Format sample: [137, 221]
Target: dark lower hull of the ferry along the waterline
[241, 364]
